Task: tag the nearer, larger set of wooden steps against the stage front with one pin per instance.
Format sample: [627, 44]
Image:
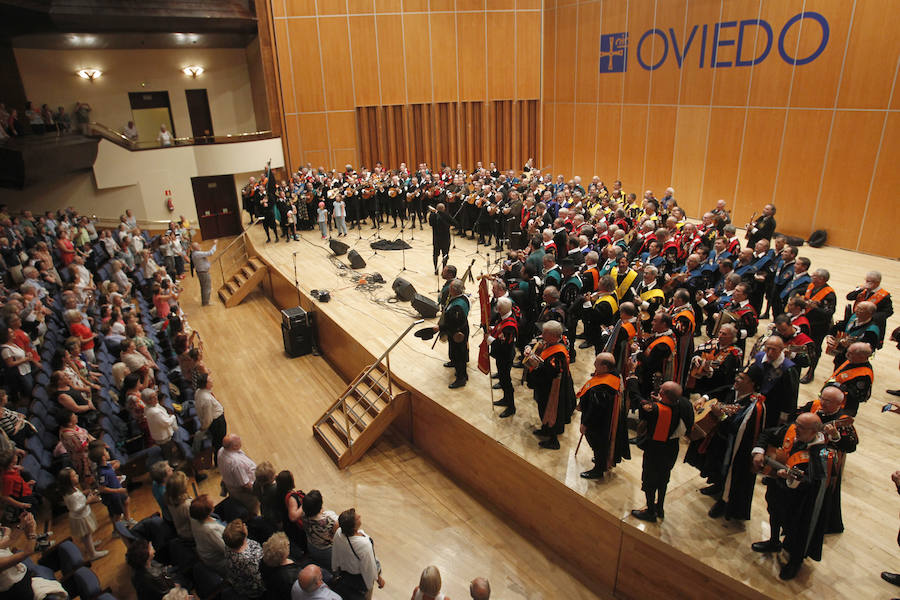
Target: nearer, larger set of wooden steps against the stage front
[358, 418]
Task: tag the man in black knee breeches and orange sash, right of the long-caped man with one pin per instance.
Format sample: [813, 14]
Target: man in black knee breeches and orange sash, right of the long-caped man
[667, 416]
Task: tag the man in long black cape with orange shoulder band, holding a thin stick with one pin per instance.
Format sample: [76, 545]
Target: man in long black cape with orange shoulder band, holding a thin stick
[603, 416]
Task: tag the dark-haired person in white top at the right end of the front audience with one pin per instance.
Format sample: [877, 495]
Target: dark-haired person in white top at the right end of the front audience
[353, 555]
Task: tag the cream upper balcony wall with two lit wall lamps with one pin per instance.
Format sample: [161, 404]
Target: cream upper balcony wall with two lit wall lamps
[49, 76]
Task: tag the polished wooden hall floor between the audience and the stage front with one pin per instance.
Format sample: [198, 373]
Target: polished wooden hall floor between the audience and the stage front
[415, 514]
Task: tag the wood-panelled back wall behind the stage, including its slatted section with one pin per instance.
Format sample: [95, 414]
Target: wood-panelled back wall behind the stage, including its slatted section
[443, 62]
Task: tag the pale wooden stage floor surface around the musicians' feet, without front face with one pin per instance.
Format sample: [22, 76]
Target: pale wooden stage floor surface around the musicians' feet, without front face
[852, 561]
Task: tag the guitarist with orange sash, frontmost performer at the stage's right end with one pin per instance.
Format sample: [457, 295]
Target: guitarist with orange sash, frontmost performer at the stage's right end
[793, 495]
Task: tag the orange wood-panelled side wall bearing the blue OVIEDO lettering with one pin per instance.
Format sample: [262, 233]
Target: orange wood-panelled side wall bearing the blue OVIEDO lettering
[739, 99]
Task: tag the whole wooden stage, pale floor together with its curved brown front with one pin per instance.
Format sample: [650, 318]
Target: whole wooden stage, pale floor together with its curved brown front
[588, 523]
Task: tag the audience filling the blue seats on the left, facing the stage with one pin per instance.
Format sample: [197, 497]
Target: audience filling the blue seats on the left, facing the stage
[103, 376]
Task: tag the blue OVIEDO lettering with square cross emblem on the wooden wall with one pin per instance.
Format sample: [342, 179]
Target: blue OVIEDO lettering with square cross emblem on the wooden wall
[715, 45]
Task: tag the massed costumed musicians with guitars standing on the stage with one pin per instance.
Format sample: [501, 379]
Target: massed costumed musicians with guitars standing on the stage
[637, 282]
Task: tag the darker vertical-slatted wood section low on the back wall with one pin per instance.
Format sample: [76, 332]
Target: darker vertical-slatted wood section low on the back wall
[449, 133]
